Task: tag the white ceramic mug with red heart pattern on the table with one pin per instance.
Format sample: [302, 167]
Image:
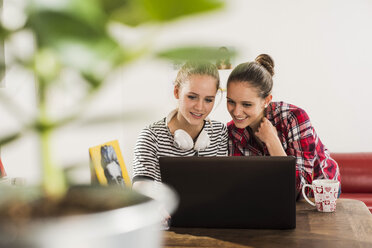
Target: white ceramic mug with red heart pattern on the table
[325, 194]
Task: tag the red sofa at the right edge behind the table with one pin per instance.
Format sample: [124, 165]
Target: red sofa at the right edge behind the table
[356, 176]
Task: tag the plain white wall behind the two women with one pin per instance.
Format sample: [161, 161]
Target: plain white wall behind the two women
[322, 53]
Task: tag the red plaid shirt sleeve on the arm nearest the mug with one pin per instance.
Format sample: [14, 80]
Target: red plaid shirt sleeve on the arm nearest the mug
[313, 159]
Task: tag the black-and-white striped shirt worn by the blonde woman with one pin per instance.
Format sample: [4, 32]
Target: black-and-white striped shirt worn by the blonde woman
[157, 141]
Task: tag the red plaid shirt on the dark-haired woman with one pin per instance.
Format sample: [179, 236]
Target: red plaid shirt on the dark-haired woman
[298, 139]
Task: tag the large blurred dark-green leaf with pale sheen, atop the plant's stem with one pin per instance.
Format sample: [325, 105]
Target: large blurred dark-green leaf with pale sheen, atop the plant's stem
[77, 43]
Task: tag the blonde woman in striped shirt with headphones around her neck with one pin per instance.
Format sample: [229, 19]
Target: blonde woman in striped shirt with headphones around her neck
[186, 131]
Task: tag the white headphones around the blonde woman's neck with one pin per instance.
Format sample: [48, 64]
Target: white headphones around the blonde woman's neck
[183, 140]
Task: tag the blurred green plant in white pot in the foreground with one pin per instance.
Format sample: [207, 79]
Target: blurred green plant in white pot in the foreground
[75, 35]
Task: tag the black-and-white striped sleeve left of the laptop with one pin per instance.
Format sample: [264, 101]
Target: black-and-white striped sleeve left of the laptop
[145, 162]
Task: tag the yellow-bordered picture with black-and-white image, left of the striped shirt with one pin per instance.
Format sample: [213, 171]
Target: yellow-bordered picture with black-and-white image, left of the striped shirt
[107, 165]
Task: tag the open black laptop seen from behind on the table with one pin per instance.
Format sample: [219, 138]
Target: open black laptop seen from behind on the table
[256, 192]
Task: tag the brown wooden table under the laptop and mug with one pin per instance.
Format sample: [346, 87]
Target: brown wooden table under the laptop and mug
[350, 226]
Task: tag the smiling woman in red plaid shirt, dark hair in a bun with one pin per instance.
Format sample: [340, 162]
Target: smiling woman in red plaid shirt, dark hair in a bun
[260, 127]
